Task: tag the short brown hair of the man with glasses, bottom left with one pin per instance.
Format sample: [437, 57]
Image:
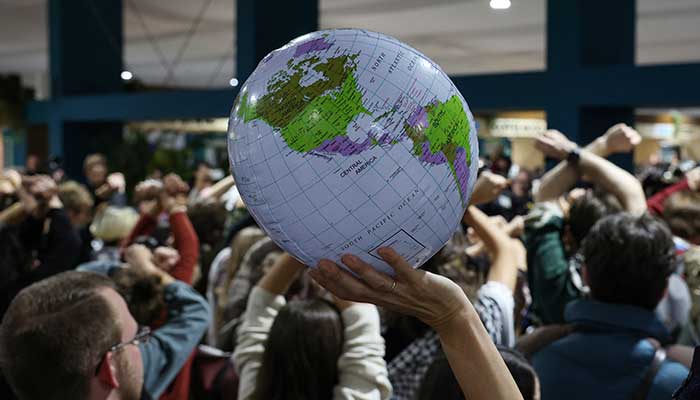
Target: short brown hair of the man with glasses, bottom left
[55, 332]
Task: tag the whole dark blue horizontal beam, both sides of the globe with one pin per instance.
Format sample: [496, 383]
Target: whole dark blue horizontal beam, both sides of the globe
[613, 86]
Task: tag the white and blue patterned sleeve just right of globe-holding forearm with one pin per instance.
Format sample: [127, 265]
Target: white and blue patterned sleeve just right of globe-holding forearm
[495, 307]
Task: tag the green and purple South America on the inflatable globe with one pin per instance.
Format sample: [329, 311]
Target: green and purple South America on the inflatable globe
[444, 138]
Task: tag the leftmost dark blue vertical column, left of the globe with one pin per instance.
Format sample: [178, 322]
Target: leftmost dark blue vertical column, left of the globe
[85, 57]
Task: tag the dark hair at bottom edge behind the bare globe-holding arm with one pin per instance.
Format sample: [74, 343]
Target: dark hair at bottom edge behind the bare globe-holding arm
[439, 381]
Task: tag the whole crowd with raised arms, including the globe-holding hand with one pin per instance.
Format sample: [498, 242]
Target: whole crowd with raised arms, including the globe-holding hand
[582, 282]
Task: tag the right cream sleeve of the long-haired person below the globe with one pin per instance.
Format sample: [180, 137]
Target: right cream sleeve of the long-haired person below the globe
[363, 373]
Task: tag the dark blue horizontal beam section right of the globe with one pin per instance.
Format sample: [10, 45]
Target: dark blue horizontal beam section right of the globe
[612, 86]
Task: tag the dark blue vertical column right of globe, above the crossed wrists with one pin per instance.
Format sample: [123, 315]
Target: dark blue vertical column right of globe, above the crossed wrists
[582, 42]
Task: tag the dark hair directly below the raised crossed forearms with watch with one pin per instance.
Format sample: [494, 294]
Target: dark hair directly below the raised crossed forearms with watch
[589, 209]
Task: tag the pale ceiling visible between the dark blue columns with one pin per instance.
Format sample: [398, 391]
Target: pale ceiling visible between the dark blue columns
[463, 36]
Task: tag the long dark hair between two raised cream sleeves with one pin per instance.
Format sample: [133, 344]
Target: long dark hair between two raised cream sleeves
[302, 352]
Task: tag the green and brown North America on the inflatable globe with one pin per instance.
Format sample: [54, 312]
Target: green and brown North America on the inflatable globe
[308, 115]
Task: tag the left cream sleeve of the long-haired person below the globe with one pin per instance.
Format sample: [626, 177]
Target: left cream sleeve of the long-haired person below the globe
[261, 311]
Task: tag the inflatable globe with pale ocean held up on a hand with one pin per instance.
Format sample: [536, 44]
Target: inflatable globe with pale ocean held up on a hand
[345, 141]
